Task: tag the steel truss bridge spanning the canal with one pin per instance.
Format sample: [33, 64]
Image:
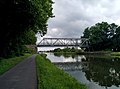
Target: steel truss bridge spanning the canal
[61, 42]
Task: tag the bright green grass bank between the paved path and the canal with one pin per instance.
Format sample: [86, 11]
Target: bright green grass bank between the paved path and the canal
[51, 77]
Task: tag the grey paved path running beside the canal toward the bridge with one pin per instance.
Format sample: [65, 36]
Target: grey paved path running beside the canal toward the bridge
[22, 76]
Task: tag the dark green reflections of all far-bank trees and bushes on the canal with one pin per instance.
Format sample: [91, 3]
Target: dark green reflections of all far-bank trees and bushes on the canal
[103, 71]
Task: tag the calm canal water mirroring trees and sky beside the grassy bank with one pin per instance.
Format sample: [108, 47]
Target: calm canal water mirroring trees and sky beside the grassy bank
[95, 71]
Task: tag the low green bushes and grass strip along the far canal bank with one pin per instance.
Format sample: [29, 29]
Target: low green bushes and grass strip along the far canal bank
[73, 51]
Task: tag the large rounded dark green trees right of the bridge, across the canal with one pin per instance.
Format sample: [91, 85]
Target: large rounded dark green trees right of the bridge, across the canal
[103, 36]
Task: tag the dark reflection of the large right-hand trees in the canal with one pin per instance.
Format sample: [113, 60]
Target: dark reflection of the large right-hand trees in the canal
[105, 72]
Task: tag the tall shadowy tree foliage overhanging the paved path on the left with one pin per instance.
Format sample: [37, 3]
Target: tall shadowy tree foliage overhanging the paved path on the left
[19, 20]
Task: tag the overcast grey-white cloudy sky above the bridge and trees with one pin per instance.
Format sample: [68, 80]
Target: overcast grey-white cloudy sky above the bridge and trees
[73, 16]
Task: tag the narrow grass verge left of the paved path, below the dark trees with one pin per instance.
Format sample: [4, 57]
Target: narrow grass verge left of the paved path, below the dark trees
[6, 64]
